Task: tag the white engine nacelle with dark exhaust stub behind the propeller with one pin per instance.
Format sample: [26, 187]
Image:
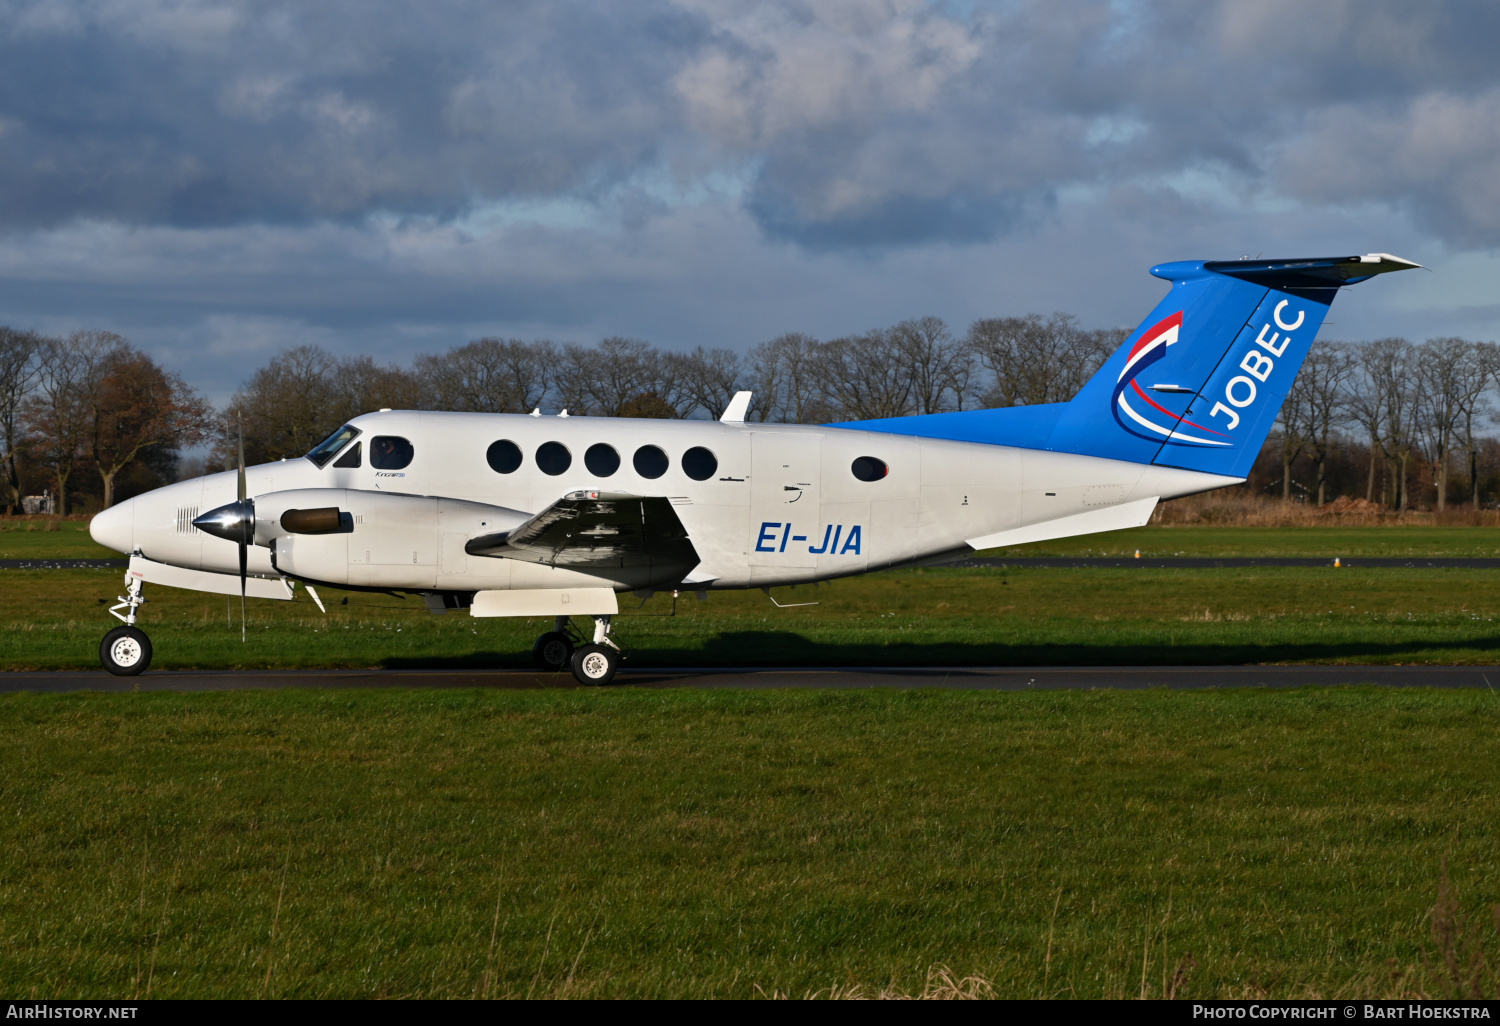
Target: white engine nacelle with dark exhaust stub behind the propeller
[380, 541]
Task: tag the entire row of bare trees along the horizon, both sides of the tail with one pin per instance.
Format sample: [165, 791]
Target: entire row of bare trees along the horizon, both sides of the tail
[95, 419]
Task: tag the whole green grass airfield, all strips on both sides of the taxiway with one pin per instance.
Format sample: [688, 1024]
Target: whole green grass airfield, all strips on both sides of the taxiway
[628, 842]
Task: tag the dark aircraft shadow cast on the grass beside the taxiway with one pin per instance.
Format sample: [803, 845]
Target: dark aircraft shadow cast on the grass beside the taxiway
[754, 649]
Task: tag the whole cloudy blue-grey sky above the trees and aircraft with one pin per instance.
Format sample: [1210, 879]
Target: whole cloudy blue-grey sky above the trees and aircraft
[221, 181]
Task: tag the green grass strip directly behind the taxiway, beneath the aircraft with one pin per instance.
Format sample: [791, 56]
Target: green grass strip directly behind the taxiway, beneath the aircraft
[937, 617]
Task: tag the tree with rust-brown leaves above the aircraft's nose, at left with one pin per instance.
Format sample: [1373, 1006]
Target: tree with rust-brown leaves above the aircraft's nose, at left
[139, 407]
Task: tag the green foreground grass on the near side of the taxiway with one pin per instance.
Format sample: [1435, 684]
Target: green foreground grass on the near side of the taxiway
[731, 844]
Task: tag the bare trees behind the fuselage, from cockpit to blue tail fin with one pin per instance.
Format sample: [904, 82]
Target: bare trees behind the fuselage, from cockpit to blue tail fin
[917, 367]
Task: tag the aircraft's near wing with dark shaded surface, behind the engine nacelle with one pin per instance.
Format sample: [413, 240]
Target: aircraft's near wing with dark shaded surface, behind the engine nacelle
[598, 532]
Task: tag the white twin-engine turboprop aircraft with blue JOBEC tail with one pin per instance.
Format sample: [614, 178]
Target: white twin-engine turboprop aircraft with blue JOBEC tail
[511, 515]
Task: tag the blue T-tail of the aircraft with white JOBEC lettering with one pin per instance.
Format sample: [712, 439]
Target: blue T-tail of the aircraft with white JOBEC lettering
[1198, 386]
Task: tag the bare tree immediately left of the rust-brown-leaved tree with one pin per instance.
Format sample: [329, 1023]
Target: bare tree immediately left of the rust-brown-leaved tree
[62, 410]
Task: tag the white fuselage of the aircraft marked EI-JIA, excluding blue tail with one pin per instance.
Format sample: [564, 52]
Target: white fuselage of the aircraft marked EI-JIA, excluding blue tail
[782, 506]
